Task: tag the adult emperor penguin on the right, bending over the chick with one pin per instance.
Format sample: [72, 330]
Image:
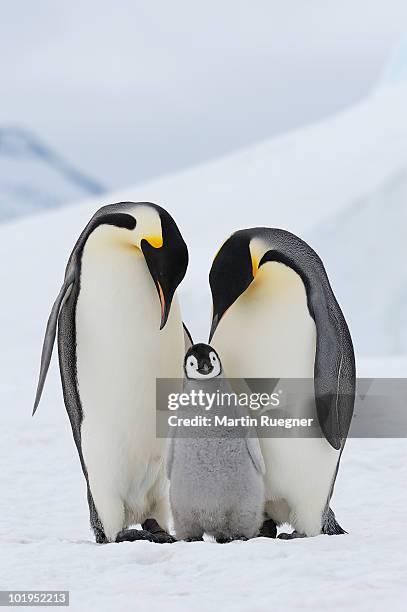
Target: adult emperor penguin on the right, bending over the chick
[275, 316]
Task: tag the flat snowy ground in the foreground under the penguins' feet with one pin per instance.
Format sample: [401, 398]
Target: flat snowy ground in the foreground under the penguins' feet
[45, 541]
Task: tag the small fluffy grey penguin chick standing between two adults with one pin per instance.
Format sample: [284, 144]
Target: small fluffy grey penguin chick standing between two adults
[216, 472]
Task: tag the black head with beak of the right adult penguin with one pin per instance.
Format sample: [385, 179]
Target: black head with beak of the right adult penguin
[232, 271]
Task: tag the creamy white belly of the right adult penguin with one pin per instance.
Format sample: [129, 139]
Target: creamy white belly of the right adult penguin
[277, 339]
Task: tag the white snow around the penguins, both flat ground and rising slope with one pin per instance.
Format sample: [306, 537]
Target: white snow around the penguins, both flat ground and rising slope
[45, 542]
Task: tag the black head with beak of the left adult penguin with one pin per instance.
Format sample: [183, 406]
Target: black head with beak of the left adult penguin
[167, 260]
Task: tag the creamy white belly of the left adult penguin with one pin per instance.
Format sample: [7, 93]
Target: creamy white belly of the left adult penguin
[120, 352]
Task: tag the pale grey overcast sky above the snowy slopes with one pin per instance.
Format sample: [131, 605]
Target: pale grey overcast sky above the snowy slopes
[128, 89]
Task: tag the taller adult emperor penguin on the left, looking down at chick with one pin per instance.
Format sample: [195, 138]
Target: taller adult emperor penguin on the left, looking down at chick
[119, 328]
